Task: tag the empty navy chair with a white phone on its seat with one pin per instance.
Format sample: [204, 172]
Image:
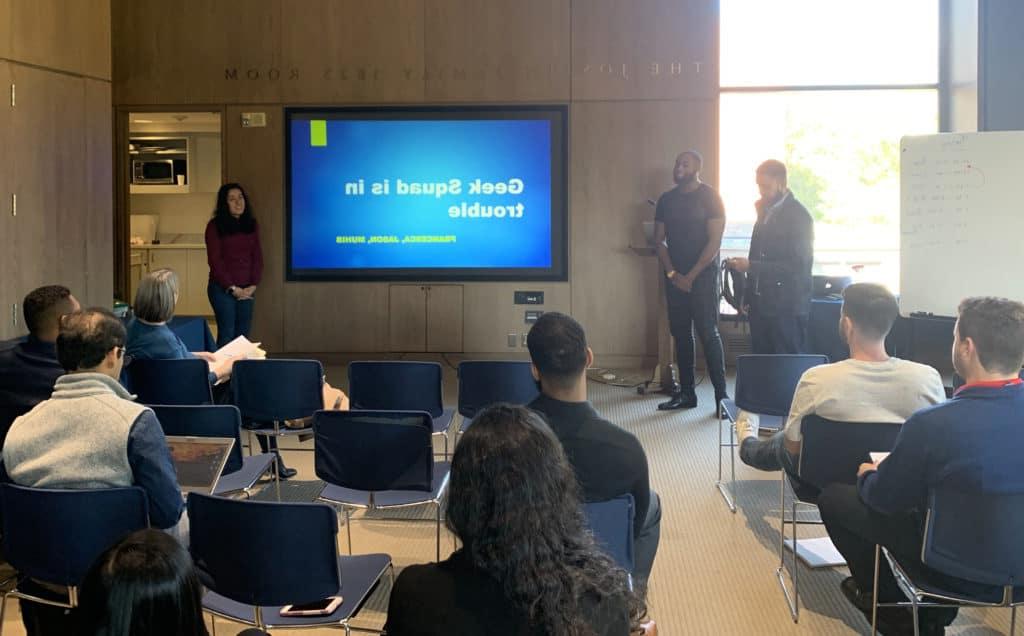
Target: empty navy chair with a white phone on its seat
[302, 567]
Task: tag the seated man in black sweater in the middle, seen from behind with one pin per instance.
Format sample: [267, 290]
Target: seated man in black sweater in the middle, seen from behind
[608, 460]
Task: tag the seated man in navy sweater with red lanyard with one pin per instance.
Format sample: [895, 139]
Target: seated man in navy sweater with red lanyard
[974, 441]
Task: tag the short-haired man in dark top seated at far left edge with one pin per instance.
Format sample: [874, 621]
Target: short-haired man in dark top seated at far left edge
[30, 368]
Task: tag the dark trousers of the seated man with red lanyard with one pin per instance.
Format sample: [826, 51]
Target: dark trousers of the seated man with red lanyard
[856, 530]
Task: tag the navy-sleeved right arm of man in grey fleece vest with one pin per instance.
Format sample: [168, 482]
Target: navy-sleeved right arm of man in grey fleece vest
[153, 471]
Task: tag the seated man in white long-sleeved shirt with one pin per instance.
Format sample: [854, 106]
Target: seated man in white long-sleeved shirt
[870, 387]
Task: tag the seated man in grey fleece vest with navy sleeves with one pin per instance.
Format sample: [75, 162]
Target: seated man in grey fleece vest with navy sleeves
[92, 435]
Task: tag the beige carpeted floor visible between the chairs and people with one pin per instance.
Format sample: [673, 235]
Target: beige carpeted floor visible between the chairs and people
[715, 572]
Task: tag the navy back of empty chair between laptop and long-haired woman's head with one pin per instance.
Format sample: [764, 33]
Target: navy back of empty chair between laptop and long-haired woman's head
[374, 450]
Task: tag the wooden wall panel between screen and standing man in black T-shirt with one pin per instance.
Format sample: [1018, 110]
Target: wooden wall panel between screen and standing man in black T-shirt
[623, 154]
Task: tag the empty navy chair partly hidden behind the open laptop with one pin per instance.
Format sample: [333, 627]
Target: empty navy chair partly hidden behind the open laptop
[241, 474]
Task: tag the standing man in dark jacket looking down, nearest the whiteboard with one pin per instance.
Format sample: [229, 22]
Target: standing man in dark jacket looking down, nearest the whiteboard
[779, 270]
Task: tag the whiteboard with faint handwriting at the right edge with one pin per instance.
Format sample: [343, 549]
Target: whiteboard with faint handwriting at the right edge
[962, 220]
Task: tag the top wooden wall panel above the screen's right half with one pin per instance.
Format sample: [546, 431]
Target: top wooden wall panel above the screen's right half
[500, 51]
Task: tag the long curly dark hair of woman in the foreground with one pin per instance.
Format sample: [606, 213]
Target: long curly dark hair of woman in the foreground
[515, 503]
